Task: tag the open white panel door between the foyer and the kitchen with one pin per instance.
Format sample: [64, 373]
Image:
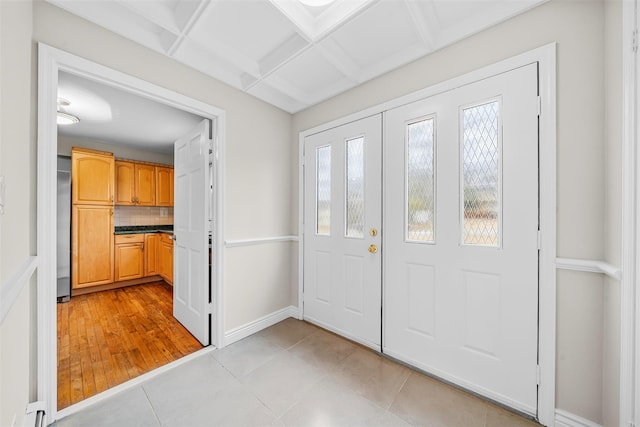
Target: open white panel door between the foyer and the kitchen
[191, 232]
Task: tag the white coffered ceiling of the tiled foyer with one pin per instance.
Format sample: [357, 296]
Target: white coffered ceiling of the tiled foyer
[290, 55]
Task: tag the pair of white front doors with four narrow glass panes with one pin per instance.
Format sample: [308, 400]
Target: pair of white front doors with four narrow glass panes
[448, 281]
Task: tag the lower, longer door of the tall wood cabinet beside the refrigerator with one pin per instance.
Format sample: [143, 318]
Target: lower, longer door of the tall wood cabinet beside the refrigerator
[91, 245]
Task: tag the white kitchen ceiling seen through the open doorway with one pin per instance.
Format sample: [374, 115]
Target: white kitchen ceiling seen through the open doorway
[120, 117]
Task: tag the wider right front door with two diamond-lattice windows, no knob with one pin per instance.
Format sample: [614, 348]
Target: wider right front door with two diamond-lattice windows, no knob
[461, 236]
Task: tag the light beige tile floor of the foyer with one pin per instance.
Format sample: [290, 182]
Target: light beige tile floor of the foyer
[293, 374]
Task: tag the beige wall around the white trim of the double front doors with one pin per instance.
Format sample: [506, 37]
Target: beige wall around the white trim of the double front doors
[578, 29]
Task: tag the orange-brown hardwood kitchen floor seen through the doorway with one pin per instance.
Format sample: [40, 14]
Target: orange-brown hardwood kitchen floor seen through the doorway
[106, 338]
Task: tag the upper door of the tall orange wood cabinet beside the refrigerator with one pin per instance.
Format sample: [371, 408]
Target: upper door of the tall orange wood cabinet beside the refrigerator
[92, 177]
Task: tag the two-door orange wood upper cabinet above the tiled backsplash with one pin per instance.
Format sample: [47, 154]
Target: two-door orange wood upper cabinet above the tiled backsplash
[135, 184]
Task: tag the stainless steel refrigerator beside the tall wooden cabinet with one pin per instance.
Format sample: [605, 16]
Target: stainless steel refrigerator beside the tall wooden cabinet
[64, 229]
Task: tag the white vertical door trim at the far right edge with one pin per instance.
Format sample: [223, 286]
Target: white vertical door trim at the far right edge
[629, 340]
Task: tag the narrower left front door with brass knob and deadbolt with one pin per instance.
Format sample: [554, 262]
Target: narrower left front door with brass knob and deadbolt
[342, 219]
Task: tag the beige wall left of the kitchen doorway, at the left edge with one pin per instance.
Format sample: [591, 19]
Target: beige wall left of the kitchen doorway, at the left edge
[17, 224]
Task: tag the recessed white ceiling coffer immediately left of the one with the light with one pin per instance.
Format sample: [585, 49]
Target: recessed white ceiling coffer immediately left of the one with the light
[252, 28]
